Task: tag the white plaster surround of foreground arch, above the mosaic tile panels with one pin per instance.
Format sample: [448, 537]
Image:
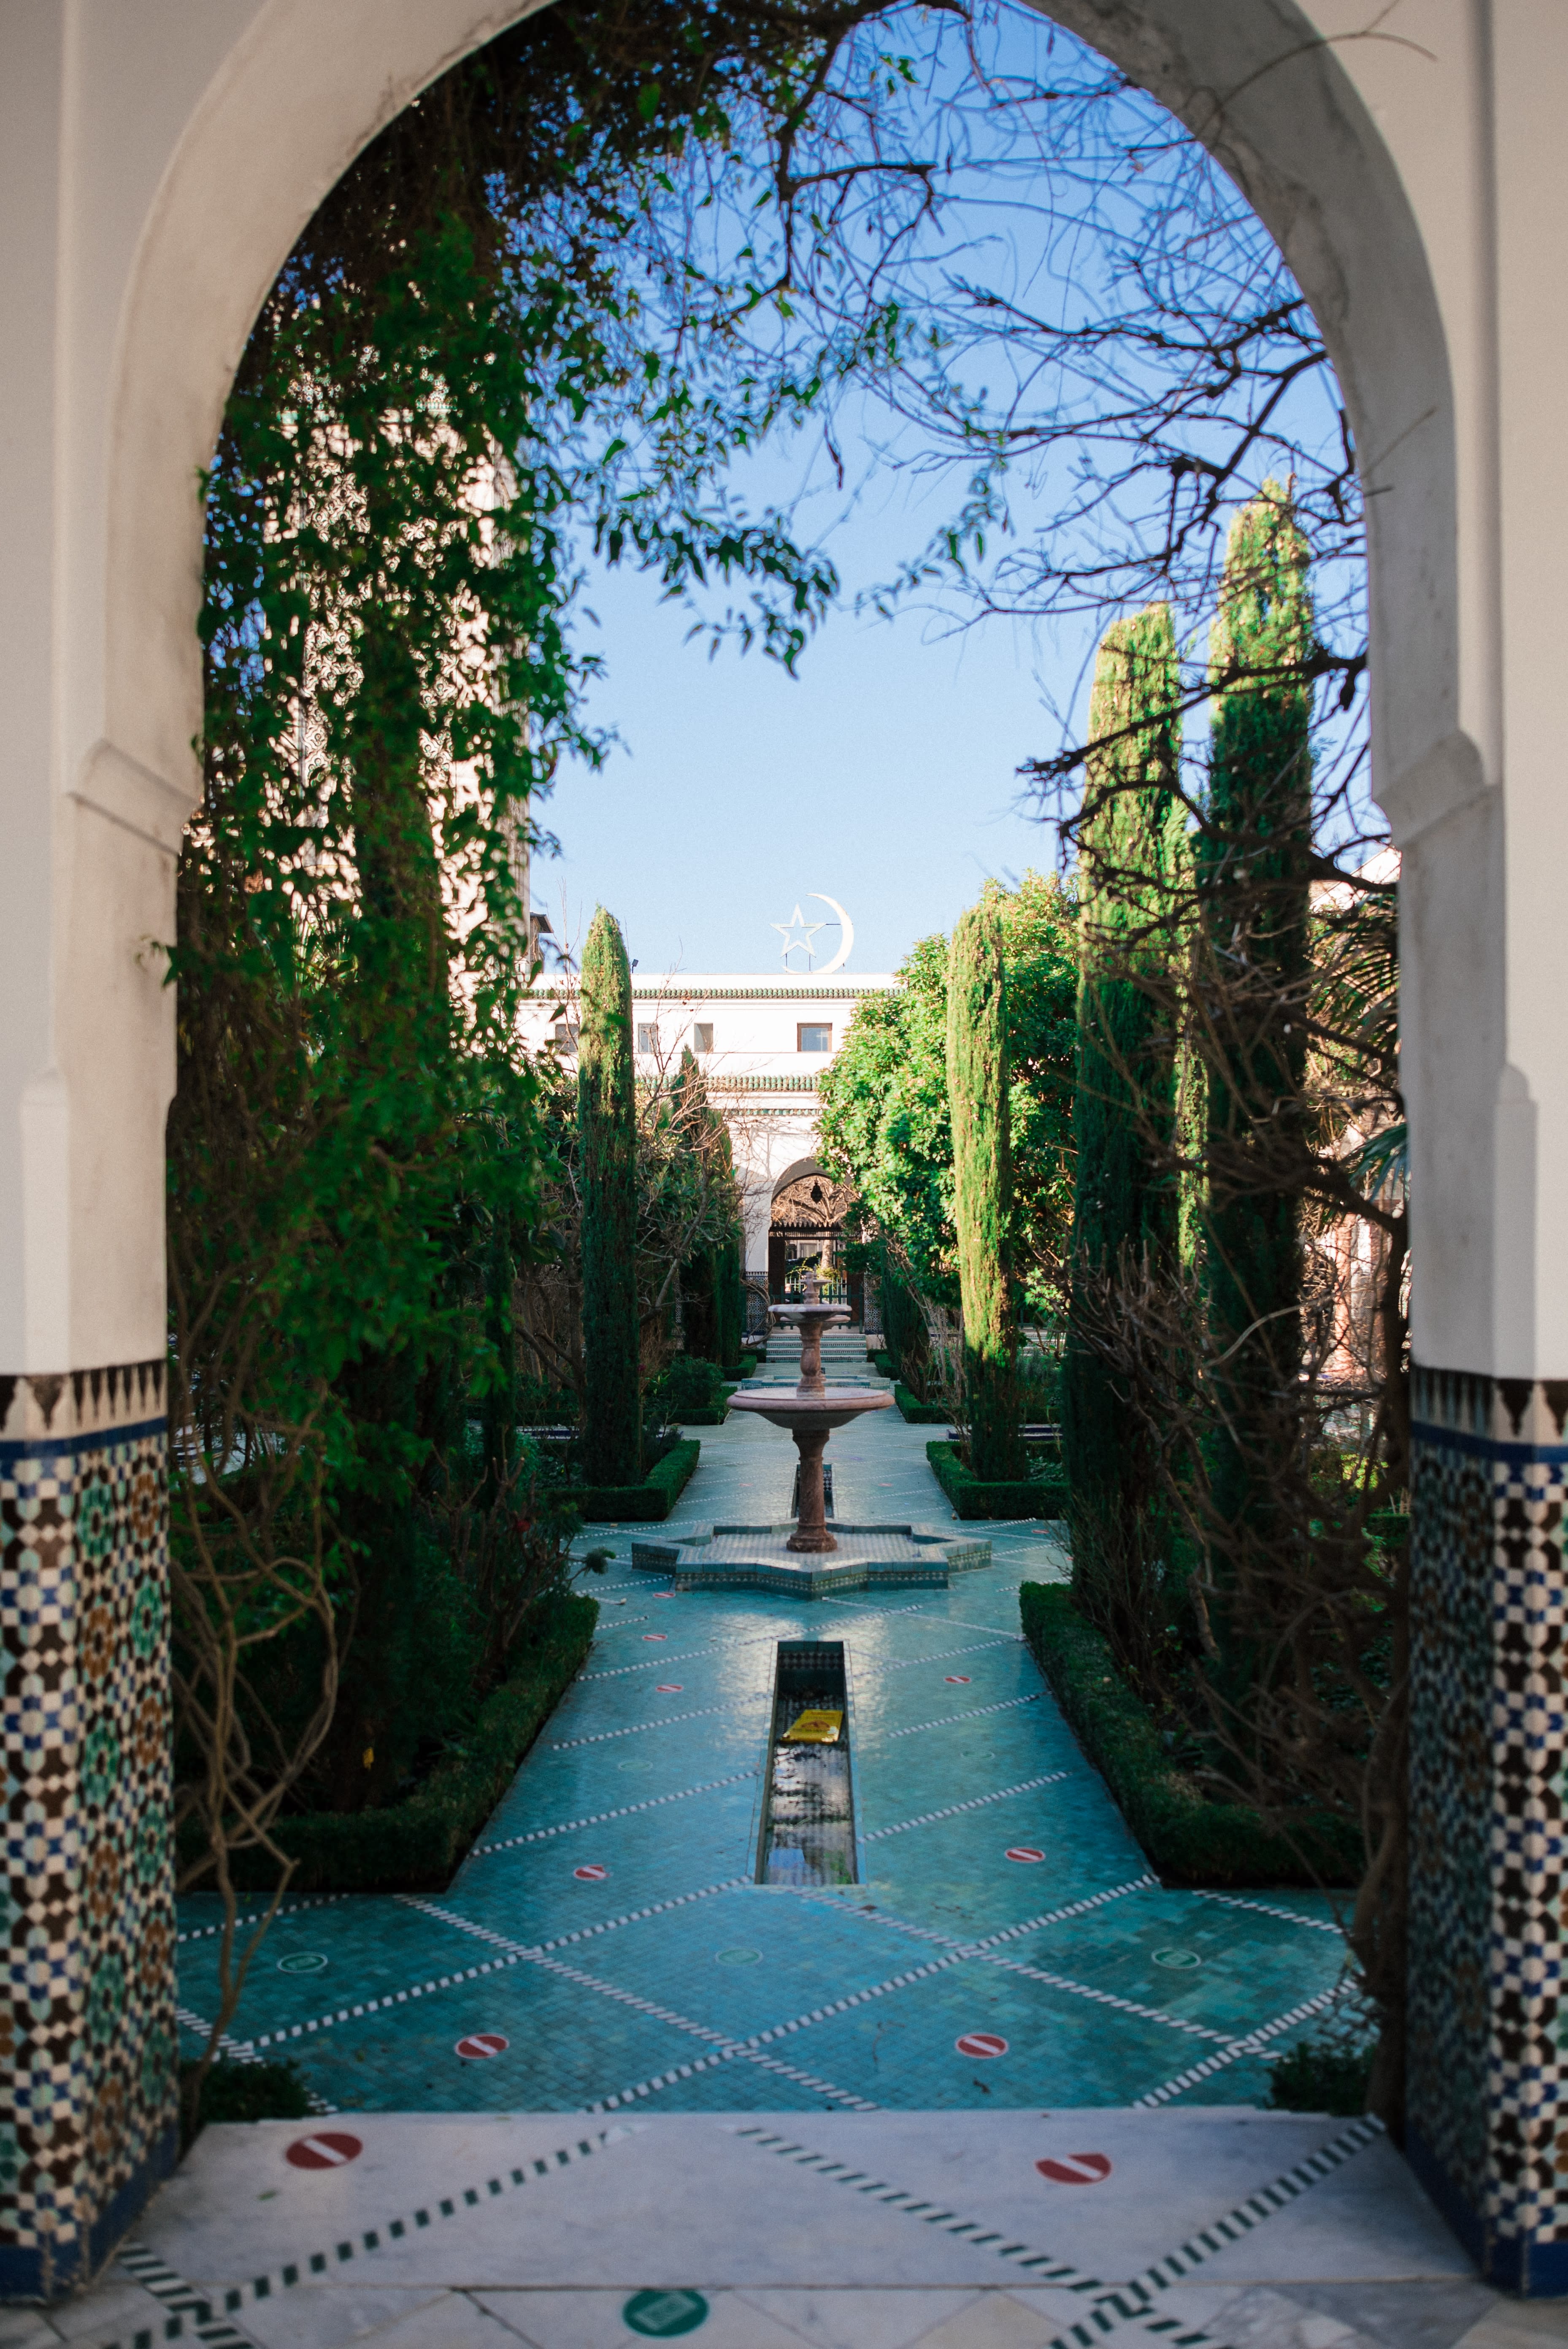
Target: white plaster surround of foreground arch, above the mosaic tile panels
[156, 163]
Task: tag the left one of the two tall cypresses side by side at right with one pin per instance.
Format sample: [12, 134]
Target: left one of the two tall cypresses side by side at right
[1126, 1204]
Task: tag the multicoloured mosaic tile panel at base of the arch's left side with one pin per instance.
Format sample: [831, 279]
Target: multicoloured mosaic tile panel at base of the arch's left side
[88, 2035]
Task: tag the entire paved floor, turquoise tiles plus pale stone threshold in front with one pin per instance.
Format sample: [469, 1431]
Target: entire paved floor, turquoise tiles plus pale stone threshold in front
[607, 2087]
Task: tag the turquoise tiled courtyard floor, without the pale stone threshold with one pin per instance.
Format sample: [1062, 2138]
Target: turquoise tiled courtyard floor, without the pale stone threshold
[609, 1932]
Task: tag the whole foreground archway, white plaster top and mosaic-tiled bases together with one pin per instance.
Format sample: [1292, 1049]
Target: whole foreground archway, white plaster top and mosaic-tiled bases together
[158, 168]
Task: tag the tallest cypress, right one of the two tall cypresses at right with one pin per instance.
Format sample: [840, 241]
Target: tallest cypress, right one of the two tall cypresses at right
[1257, 901]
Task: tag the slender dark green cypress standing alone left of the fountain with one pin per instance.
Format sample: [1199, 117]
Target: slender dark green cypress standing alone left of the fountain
[607, 1138]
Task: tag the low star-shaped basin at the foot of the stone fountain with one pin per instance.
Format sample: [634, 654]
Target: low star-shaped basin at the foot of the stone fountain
[759, 1559]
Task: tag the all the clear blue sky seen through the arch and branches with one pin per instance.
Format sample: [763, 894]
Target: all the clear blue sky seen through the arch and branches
[884, 774]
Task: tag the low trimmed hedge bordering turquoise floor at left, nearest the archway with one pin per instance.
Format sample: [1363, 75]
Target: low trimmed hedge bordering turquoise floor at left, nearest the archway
[414, 1845]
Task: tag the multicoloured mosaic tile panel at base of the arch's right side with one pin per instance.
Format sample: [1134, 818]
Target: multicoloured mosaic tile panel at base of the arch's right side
[1487, 2106]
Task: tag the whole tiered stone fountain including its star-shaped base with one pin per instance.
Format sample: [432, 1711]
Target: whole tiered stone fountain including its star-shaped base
[806, 1556]
